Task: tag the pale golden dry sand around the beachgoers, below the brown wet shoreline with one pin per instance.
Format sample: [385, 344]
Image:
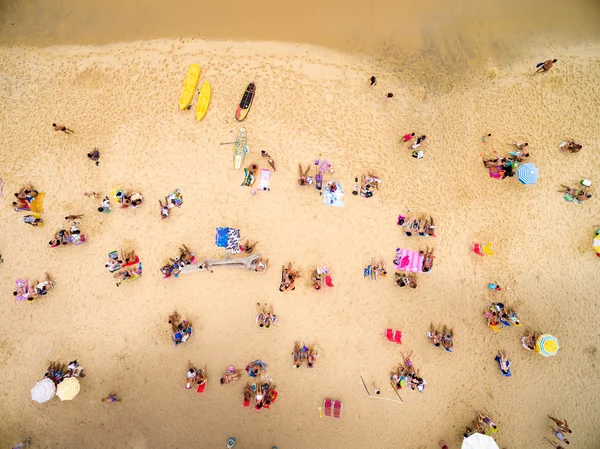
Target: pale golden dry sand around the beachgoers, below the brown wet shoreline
[312, 102]
